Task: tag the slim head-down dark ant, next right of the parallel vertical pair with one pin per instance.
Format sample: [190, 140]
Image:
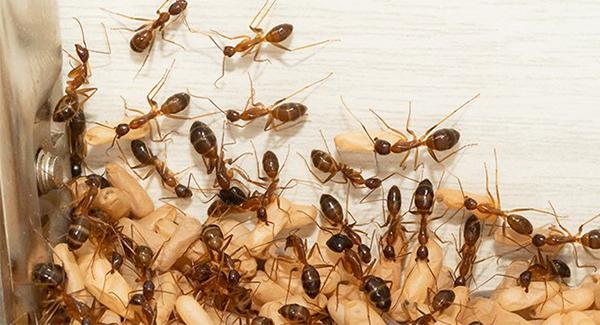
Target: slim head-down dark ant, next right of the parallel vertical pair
[468, 251]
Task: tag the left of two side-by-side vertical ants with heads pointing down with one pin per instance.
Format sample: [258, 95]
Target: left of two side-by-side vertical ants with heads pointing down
[396, 230]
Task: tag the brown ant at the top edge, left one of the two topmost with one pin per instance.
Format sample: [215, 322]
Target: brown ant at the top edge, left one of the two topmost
[144, 36]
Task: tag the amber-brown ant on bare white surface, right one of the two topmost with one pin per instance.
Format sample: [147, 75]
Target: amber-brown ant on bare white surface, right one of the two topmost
[250, 44]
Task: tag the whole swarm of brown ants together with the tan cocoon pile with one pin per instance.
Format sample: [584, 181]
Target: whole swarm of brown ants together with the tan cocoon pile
[250, 259]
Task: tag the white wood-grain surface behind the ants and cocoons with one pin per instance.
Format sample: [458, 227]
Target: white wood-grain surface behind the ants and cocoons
[536, 65]
